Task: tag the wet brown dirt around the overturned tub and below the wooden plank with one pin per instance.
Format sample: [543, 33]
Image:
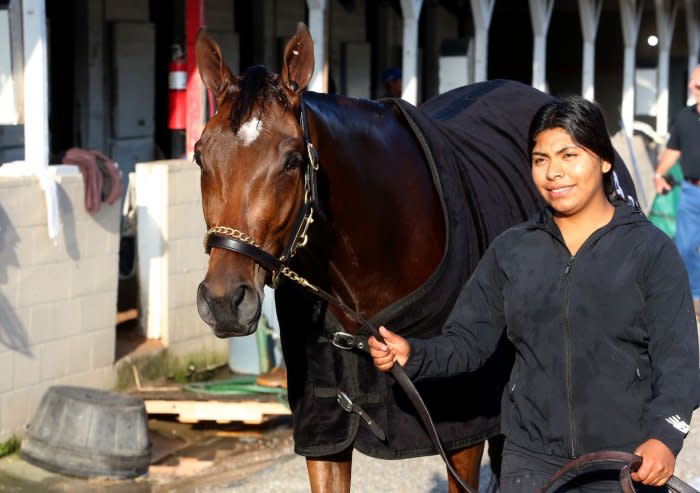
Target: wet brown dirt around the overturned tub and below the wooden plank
[185, 458]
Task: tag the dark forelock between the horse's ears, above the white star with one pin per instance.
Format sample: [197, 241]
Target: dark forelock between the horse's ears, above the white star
[256, 85]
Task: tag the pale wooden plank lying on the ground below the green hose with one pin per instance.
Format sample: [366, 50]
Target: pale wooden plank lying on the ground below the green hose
[192, 411]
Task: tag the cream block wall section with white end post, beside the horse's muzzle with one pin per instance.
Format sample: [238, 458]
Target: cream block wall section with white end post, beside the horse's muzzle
[171, 257]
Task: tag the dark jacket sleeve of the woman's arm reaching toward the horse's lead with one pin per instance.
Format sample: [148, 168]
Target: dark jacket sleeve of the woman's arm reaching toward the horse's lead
[472, 330]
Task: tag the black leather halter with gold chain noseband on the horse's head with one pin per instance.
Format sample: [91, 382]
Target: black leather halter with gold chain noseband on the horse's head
[237, 241]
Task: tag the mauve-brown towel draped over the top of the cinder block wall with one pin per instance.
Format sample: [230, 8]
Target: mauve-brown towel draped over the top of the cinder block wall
[100, 175]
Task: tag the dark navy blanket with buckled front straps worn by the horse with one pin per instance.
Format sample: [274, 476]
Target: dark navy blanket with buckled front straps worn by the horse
[474, 139]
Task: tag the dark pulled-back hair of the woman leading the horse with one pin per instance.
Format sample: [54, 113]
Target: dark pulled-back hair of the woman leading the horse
[584, 122]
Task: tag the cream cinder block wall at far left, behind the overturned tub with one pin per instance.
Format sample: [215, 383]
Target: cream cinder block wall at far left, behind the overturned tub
[57, 298]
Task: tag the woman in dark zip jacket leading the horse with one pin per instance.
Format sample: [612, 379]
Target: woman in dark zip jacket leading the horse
[595, 300]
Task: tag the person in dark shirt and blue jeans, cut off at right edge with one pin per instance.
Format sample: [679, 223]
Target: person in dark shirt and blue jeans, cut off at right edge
[684, 144]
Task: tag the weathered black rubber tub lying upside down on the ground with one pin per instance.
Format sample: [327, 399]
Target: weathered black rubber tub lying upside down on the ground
[88, 432]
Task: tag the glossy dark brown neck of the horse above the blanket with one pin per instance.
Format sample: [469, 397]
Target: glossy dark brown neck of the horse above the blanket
[384, 215]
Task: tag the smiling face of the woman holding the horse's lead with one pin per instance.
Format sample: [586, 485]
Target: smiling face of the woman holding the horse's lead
[568, 176]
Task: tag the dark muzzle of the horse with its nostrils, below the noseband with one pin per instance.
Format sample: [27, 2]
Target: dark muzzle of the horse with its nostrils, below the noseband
[233, 315]
